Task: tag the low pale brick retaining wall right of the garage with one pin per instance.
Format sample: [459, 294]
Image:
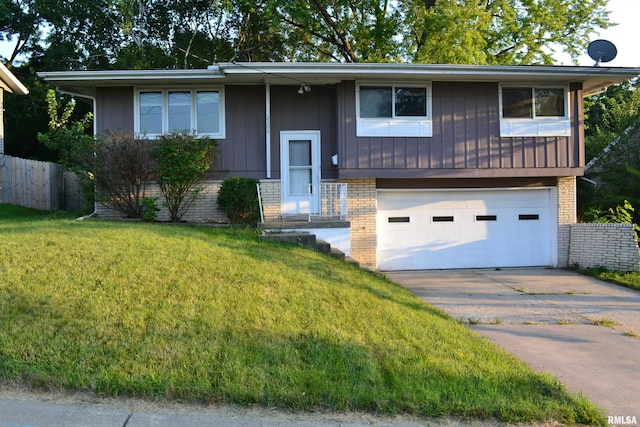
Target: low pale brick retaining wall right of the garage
[613, 246]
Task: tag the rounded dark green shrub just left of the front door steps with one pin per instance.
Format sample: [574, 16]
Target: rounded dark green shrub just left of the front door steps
[238, 198]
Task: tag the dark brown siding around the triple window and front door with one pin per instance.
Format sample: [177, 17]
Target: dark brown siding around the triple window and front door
[243, 152]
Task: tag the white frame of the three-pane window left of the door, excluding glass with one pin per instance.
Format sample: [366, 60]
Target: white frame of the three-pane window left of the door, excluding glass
[165, 108]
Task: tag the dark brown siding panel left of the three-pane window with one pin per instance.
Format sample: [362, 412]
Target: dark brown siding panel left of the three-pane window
[114, 109]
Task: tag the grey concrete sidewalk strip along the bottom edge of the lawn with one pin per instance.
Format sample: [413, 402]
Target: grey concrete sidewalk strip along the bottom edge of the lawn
[24, 409]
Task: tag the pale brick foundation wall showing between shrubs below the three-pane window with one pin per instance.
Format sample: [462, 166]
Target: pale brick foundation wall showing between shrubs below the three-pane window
[205, 209]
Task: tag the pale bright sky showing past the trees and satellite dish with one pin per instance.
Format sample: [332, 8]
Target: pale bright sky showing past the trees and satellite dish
[625, 36]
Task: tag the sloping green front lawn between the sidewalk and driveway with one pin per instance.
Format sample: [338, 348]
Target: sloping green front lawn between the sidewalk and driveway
[215, 315]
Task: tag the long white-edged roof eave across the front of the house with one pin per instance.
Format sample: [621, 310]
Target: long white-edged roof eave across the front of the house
[594, 78]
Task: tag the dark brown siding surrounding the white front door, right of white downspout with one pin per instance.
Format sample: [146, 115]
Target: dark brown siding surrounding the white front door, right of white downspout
[315, 110]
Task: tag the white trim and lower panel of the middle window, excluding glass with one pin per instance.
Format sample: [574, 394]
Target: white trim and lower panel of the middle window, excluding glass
[394, 126]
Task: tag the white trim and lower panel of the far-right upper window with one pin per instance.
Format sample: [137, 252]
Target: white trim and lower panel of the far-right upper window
[536, 126]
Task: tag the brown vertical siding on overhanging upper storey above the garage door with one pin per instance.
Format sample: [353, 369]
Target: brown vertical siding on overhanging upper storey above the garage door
[466, 140]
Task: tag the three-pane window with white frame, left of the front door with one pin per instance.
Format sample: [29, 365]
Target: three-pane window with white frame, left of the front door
[160, 111]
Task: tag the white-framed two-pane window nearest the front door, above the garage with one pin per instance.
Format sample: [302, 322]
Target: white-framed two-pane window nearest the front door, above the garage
[393, 110]
